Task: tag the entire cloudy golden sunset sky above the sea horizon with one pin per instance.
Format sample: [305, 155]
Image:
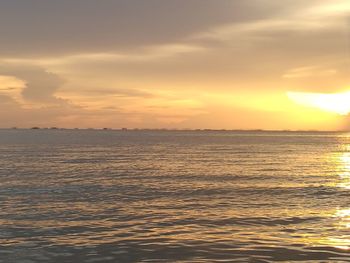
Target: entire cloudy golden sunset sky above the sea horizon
[217, 64]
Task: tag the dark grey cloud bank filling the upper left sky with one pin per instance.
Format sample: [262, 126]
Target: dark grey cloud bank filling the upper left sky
[41, 27]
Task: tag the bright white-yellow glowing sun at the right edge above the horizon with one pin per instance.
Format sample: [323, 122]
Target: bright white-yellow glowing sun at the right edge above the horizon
[332, 102]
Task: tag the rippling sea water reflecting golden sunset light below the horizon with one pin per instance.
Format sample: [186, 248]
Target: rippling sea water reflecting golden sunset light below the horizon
[174, 196]
